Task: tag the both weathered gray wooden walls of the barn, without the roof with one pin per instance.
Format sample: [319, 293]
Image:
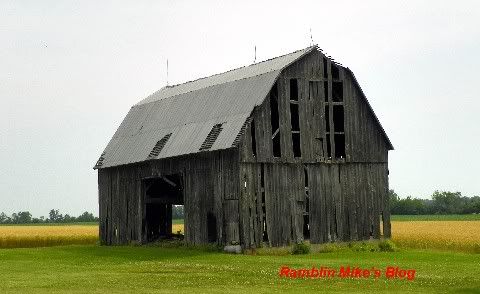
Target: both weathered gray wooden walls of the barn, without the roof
[347, 197]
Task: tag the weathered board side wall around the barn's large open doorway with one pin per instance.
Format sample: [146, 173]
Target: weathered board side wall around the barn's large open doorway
[210, 186]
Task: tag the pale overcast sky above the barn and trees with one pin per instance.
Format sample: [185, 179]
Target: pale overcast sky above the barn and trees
[70, 71]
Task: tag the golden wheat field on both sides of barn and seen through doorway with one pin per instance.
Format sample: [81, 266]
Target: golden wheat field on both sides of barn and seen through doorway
[445, 235]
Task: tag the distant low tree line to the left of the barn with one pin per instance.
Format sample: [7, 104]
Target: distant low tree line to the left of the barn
[54, 216]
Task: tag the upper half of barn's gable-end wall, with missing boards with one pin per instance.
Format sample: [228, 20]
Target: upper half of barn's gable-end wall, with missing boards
[364, 140]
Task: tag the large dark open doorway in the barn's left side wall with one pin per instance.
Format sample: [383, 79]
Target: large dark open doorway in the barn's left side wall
[161, 193]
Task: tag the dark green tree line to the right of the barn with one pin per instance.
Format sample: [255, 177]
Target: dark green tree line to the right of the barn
[441, 202]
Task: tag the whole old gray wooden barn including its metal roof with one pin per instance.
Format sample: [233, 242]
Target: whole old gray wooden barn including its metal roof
[269, 154]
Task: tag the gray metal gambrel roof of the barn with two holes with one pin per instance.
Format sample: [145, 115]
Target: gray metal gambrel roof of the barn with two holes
[190, 110]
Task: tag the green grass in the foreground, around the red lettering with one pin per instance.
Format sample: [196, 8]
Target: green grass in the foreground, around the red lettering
[95, 269]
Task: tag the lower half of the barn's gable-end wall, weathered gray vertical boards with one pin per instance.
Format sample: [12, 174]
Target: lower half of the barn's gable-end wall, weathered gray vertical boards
[346, 202]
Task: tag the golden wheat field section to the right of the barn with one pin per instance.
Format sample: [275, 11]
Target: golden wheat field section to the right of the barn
[448, 235]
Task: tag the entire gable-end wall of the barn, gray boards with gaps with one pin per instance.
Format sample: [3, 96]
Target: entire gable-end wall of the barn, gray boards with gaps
[347, 195]
